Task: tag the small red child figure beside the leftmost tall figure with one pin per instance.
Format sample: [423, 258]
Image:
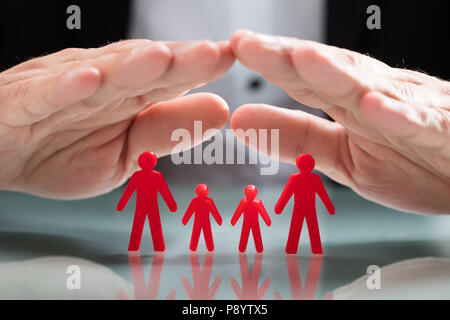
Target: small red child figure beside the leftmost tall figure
[202, 205]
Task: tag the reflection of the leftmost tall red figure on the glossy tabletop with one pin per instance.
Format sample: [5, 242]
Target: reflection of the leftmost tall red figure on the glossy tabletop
[141, 291]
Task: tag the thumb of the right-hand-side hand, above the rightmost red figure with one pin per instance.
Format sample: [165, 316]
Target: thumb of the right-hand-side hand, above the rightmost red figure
[299, 132]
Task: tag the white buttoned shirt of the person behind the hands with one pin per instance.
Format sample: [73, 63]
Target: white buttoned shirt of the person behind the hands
[175, 20]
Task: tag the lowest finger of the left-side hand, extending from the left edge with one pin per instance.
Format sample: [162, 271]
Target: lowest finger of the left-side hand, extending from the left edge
[29, 101]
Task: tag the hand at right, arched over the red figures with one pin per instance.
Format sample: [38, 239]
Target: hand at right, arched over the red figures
[390, 142]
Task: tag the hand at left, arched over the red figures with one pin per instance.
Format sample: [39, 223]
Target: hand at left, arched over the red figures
[73, 123]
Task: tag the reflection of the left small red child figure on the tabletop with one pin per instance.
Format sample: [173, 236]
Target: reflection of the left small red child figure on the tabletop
[201, 289]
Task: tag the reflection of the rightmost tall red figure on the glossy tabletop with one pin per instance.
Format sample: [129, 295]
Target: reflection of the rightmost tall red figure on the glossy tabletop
[308, 292]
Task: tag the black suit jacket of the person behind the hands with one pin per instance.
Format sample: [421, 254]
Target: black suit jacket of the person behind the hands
[413, 33]
